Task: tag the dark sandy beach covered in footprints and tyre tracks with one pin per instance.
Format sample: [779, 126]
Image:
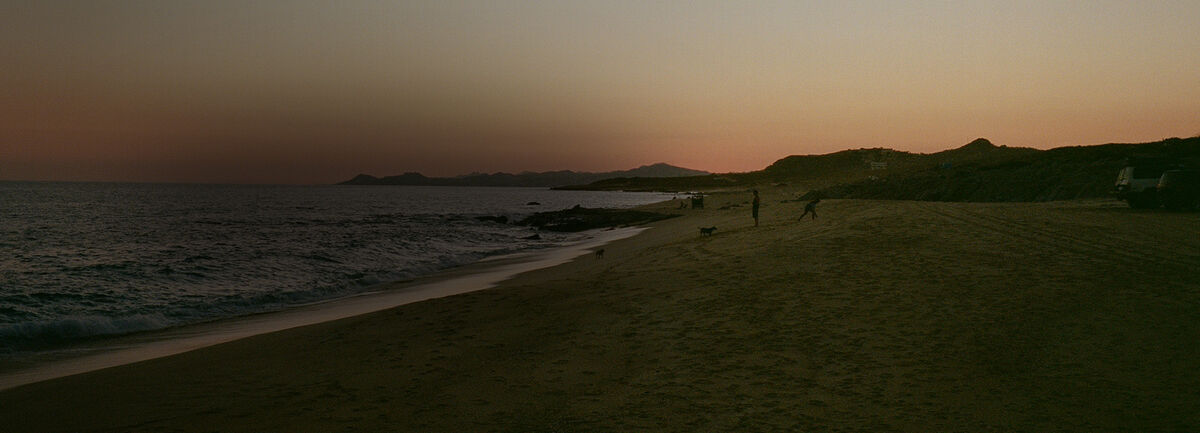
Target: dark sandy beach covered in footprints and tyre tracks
[877, 317]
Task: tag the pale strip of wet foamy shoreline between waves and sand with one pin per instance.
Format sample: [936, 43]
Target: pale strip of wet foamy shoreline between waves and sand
[141, 347]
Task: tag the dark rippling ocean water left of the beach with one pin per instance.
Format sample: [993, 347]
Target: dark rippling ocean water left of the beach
[81, 262]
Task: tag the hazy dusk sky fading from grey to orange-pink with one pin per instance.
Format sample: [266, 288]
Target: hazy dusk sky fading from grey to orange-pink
[319, 92]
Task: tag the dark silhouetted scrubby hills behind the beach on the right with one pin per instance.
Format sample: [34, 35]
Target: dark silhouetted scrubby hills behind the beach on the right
[976, 172]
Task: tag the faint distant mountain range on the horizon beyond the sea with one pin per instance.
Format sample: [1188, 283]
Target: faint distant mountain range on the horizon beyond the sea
[527, 179]
